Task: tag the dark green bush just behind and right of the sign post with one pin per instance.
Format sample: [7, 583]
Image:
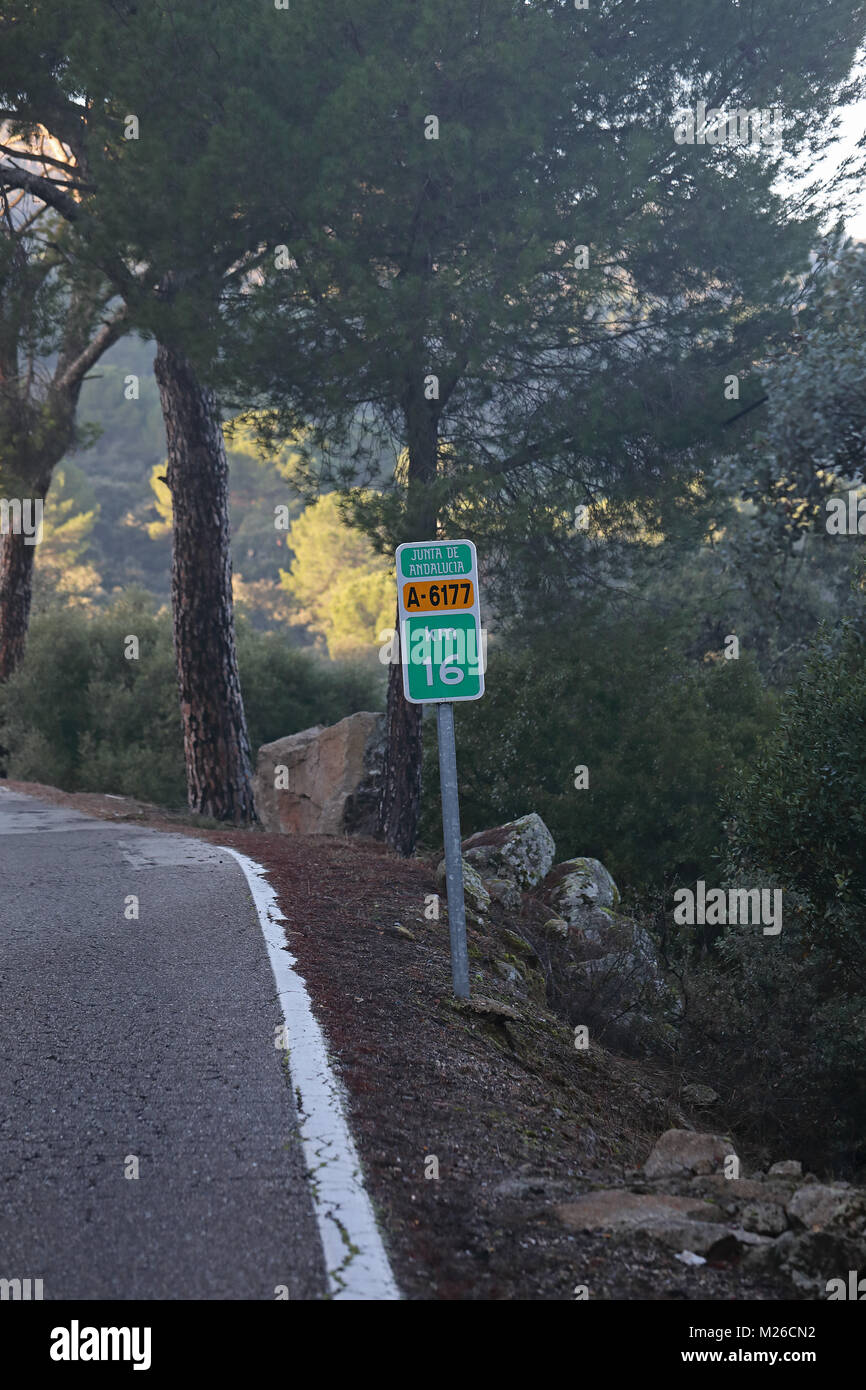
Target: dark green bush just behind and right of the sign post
[660, 736]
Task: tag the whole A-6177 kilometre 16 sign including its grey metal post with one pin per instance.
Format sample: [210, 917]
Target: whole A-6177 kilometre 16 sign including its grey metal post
[443, 657]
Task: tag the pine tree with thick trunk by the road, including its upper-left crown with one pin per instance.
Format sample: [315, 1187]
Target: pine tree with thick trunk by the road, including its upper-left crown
[137, 98]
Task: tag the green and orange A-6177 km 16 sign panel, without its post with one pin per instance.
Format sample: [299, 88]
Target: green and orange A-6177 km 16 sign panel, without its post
[440, 622]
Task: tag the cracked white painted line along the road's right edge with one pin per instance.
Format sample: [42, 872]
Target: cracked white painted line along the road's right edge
[355, 1257]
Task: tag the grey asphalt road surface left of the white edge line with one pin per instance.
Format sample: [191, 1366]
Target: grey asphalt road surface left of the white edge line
[148, 1040]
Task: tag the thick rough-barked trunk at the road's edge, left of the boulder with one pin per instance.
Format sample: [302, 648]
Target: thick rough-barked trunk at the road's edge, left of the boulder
[216, 743]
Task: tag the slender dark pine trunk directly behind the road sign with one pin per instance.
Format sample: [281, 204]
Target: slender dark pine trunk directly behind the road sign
[401, 789]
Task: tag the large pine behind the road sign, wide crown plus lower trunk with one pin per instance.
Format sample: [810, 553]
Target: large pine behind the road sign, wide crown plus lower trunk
[487, 243]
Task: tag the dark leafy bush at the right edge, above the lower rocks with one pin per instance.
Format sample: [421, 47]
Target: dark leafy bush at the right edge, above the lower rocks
[783, 1020]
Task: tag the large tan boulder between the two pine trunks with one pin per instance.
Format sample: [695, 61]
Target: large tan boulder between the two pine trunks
[330, 779]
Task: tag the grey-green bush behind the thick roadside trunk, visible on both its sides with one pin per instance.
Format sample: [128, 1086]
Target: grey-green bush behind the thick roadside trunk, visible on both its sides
[80, 717]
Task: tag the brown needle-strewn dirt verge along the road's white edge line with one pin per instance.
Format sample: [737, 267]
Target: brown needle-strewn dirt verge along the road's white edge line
[494, 1090]
